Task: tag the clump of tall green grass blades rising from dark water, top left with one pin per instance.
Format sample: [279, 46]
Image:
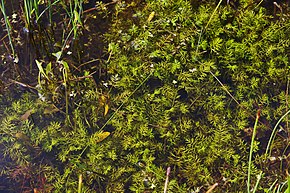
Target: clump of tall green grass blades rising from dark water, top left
[37, 26]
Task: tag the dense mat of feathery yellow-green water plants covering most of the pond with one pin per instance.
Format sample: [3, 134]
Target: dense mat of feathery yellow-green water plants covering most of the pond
[184, 85]
